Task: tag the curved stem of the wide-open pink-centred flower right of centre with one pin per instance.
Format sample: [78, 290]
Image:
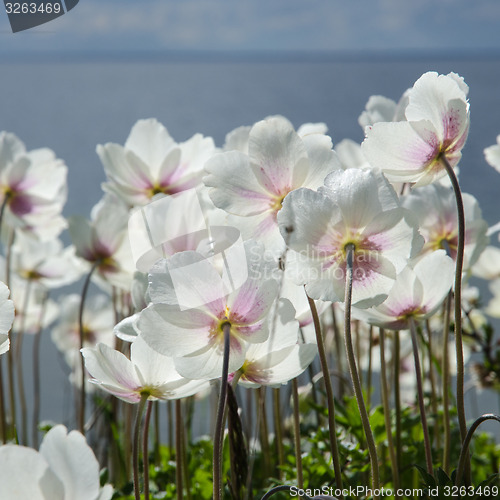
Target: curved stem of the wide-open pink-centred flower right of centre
[358, 391]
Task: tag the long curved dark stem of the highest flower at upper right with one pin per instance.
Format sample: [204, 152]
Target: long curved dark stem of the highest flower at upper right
[458, 300]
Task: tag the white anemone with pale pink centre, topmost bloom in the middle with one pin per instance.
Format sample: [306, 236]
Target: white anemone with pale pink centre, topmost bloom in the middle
[252, 186]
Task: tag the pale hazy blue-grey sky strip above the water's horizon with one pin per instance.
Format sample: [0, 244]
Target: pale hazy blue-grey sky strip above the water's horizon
[222, 25]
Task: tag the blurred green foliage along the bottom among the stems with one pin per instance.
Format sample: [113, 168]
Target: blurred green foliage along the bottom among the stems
[317, 462]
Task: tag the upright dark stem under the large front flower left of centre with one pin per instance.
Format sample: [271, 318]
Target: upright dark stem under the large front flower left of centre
[219, 422]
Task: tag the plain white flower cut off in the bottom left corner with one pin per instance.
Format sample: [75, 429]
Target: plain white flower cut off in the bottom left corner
[65, 468]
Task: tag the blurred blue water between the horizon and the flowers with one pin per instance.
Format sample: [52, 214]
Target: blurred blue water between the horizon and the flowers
[72, 107]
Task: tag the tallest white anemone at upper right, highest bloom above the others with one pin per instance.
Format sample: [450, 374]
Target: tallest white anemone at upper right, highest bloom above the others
[437, 126]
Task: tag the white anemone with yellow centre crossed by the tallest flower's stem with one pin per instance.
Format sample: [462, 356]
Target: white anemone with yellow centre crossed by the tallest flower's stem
[436, 210]
